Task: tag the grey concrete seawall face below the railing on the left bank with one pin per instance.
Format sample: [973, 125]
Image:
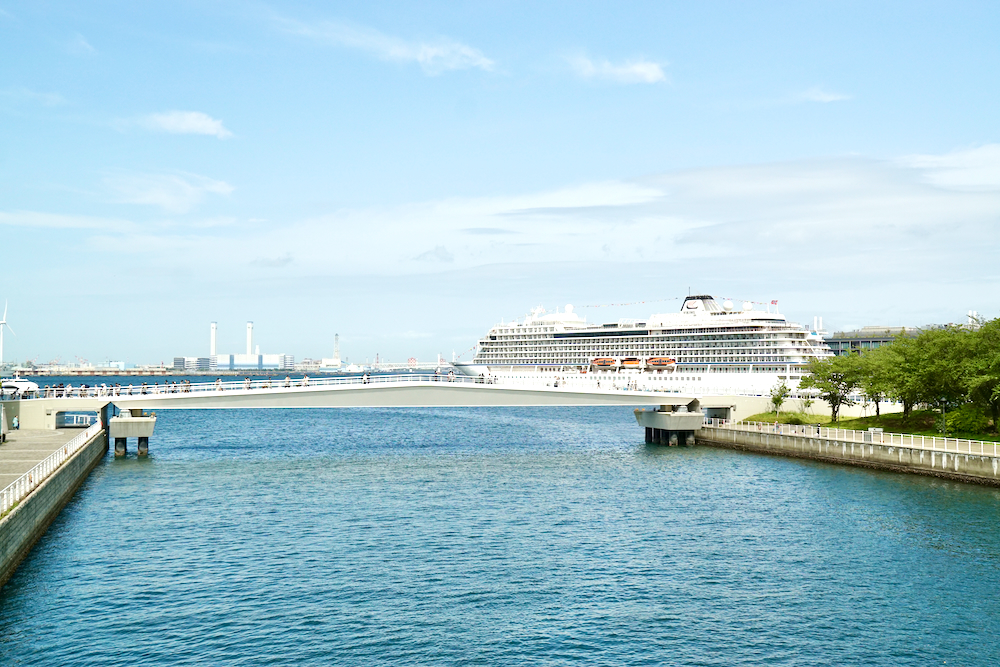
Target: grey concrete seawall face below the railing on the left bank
[28, 521]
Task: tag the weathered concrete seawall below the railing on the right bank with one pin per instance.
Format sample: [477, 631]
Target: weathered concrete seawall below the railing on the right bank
[975, 468]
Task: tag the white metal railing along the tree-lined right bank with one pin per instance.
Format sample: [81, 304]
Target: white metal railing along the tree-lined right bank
[929, 443]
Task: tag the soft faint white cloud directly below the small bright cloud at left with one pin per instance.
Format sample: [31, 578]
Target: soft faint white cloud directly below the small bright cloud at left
[174, 193]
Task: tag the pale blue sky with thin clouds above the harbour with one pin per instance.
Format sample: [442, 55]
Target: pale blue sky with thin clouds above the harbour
[409, 174]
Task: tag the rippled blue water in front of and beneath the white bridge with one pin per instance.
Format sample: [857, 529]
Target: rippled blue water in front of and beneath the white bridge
[541, 536]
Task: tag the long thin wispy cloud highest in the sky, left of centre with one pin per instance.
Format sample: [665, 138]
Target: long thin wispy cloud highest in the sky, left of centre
[434, 56]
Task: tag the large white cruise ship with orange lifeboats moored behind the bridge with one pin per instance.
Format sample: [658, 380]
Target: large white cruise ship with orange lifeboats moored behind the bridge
[706, 348]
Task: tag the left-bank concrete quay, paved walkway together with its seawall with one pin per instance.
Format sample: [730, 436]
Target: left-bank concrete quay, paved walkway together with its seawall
[27, 521]
